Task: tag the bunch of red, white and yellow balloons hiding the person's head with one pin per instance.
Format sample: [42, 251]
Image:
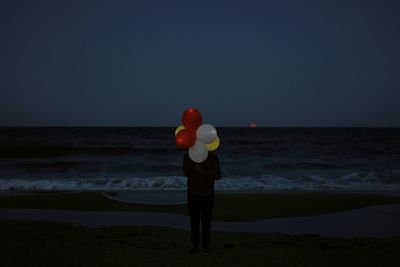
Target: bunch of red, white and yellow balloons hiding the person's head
[199, 138]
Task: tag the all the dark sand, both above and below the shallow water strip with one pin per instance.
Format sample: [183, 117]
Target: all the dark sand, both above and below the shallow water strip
[50, 243]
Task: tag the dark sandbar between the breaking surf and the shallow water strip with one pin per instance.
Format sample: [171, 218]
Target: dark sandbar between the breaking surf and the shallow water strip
[231, 206]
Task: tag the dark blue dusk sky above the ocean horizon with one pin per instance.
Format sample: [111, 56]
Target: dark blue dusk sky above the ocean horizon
[142, 63]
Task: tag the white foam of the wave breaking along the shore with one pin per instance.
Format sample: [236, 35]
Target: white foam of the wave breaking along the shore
[350, 182]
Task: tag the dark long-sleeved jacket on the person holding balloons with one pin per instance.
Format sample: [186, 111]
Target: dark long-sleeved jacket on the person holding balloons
[201, 176]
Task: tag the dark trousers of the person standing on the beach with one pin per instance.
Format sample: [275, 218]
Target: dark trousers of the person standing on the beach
[200, 209]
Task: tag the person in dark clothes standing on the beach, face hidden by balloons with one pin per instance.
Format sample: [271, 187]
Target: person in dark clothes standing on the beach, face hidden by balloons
[200, 197]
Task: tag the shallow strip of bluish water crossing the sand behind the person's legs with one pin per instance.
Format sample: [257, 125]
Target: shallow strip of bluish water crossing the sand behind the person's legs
[373, 221]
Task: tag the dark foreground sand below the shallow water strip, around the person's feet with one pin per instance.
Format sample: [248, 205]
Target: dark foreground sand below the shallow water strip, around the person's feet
[50, 244]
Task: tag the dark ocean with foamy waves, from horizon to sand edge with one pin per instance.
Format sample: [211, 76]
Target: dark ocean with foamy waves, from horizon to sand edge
[251, 159]
